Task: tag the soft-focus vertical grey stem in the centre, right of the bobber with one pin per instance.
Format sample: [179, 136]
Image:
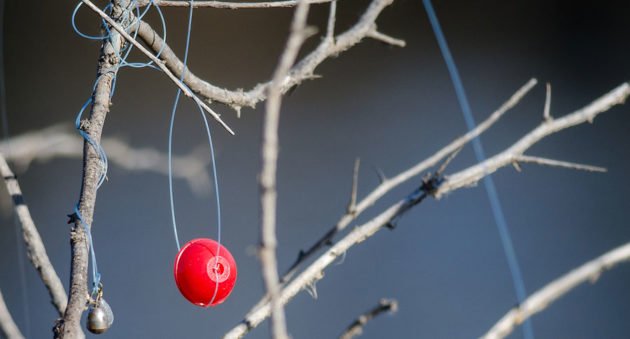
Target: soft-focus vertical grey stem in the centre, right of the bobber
[268, 174]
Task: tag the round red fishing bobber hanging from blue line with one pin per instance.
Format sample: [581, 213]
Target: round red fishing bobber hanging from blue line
[198, 268]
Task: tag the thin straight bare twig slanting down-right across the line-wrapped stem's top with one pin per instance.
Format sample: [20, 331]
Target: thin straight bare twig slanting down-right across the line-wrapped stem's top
[159, 63]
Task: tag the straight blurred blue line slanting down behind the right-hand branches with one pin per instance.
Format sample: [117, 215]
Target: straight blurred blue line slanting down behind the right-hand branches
[497, 211]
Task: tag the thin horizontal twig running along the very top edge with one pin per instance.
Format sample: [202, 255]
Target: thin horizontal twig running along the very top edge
[228, 5]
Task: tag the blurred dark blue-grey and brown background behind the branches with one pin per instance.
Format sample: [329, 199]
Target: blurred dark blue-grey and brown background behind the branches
[392, 107]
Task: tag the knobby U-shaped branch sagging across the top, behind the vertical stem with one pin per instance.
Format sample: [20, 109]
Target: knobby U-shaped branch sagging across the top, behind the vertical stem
[303, 70]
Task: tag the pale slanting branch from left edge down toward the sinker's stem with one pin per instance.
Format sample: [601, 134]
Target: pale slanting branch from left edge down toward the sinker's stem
[35, 249]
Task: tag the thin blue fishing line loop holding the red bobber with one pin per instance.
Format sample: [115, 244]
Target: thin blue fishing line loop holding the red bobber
[212, 154]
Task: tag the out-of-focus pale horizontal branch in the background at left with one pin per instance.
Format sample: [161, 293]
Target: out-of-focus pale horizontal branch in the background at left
[62, 141]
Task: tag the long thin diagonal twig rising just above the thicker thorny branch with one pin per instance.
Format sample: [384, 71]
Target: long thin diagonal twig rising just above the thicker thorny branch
[388, 184]
